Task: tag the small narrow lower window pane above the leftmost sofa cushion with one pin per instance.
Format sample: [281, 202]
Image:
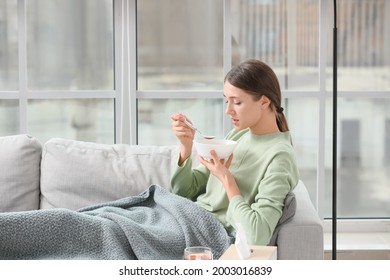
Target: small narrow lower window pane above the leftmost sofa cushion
[9, 117]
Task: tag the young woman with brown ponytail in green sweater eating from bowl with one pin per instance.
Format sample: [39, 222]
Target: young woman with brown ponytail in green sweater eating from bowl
[248, 188]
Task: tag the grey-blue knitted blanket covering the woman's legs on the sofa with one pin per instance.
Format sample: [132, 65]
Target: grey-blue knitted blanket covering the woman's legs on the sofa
[153, 225]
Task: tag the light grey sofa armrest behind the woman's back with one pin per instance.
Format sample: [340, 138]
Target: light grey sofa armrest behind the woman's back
[302, 237]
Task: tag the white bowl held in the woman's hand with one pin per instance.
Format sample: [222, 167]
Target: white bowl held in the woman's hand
[224, 148]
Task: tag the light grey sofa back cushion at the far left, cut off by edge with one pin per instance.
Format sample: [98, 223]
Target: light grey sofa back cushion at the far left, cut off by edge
[19, 176]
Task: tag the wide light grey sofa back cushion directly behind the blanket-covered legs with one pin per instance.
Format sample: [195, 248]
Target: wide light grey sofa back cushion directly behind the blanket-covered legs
[76, 174]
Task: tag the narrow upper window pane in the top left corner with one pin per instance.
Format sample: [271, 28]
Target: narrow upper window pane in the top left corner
[8, 45]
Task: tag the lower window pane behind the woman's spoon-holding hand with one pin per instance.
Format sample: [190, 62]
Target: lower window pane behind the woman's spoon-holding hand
[154, 118]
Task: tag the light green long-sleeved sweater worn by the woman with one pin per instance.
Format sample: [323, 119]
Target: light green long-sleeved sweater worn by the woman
[264, 167]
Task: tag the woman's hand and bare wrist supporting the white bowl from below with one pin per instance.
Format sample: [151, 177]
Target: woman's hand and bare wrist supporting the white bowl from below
[220, 169]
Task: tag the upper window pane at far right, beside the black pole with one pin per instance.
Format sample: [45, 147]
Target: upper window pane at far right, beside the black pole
[364, 41]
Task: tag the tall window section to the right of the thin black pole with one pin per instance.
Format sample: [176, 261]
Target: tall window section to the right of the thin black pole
[363, 82]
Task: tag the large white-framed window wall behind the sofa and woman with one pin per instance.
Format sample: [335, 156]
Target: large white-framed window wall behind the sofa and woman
[115, 70]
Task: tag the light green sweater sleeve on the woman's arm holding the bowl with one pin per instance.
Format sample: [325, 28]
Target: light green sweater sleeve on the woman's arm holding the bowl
[259, 218]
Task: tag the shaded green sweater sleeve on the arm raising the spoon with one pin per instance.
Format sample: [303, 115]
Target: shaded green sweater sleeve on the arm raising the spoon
[189, 182]
